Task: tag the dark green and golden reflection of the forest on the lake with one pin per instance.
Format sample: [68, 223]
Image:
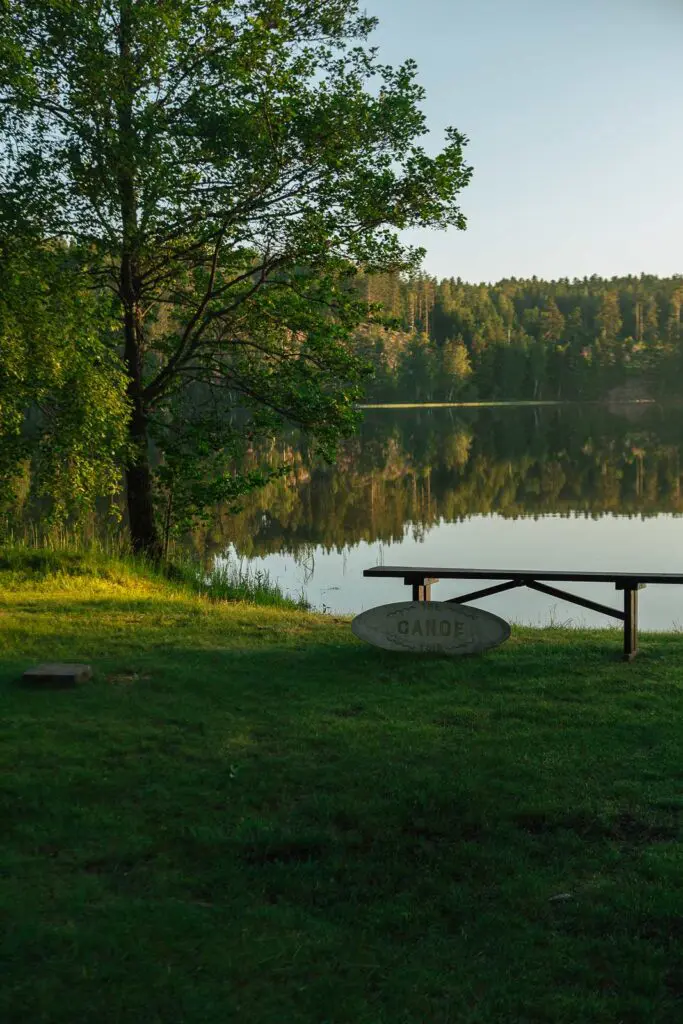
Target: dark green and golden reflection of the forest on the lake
[408, 472]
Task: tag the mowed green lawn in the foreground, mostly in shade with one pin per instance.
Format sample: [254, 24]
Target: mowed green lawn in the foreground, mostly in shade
[250, 817]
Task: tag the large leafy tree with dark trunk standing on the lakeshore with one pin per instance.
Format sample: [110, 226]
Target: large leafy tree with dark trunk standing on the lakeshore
[224, 167]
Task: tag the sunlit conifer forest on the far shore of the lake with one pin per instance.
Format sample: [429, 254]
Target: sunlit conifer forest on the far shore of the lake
[523, 340]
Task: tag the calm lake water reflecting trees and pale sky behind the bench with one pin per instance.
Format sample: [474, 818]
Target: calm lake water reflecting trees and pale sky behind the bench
[575, 488]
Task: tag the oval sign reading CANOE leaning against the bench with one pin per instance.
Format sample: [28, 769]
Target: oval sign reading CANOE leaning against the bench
[432, 628]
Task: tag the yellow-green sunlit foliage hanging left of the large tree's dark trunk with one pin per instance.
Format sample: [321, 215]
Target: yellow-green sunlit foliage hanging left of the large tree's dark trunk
[63, 390]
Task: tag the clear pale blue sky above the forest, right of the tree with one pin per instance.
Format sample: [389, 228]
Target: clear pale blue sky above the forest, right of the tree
[574, 110]
